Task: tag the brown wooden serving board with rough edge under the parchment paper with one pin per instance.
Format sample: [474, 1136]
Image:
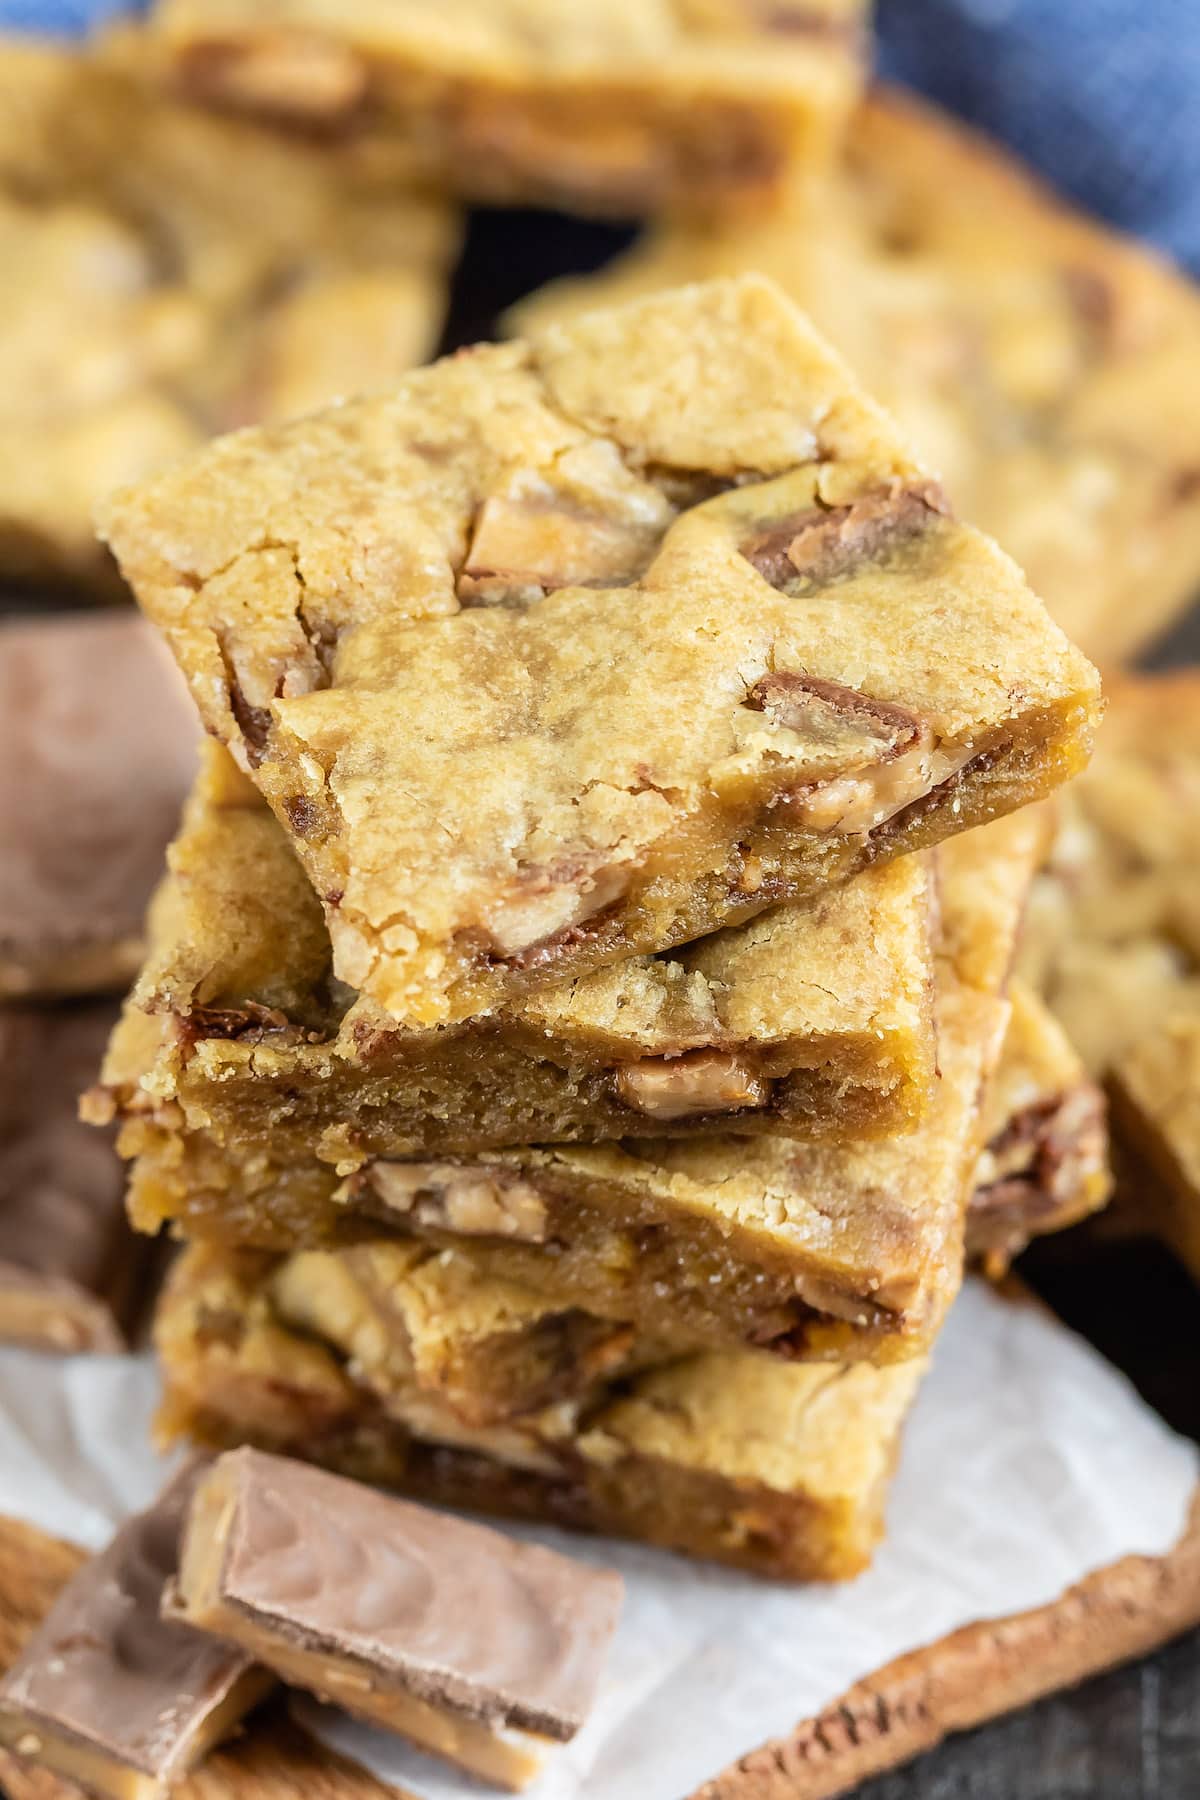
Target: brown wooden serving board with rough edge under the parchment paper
[980, 1673]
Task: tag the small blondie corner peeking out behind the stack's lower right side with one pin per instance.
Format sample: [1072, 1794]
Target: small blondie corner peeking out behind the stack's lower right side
[1046, 1156]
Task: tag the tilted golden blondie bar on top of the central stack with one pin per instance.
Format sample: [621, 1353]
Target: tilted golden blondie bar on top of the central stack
[580, 649]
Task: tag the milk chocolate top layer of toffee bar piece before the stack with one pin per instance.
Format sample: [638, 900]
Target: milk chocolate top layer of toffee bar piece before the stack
[456, 1614]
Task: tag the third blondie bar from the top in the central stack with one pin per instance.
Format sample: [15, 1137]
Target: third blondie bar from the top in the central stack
[809, 1250]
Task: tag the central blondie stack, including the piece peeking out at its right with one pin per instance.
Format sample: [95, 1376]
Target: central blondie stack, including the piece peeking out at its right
[577, 1039]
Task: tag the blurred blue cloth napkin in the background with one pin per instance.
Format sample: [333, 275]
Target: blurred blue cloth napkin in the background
[1104, 96]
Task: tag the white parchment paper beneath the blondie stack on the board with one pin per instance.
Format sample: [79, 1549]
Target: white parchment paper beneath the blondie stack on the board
[1028, 1464]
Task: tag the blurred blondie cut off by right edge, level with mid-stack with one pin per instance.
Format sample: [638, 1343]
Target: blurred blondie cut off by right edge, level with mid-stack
[1115, 935]
